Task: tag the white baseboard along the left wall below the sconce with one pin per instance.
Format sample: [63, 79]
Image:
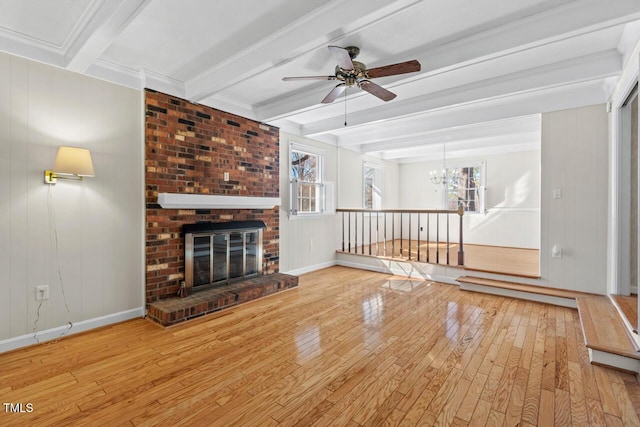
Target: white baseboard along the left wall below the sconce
[82, 326]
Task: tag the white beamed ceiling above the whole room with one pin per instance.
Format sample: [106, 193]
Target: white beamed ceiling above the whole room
[488, 67]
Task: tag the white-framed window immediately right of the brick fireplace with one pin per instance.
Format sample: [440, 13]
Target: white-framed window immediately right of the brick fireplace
[307, 189]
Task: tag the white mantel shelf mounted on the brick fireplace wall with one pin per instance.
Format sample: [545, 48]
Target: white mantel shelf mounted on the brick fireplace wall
[209, 201]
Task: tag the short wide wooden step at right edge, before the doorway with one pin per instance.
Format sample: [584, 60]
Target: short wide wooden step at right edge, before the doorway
[603, 329]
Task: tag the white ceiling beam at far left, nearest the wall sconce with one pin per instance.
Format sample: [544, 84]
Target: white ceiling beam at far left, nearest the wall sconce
[109, 20]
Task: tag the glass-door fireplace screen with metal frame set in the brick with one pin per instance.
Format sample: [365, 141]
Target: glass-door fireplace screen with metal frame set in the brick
[213, 250]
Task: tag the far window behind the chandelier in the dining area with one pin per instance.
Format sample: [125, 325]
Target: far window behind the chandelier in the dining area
[465, 187]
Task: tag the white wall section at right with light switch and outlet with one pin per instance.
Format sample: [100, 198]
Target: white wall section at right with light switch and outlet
[575, 160]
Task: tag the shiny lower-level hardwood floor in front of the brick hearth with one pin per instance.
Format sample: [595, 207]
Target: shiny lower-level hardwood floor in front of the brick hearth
[347, 347]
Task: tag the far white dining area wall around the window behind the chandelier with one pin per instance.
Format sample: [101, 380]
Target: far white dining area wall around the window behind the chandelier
[512, 198]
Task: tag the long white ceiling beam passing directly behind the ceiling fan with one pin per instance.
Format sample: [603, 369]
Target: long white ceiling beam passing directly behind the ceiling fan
[550, 26]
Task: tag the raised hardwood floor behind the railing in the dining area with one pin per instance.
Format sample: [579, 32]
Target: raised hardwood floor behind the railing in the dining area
[494, 259]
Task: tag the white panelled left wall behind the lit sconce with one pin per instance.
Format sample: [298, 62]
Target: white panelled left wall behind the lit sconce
[99, 221]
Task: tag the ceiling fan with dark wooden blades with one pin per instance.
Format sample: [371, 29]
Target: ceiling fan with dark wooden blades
[353, 73]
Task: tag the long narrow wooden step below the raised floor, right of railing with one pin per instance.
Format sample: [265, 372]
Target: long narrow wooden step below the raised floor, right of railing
[562, 297]
